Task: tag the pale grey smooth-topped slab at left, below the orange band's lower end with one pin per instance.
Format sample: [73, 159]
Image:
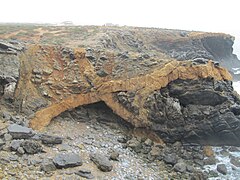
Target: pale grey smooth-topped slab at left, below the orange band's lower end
[20, 132]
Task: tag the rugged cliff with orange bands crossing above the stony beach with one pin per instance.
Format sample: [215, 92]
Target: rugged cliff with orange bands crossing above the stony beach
[168, 82]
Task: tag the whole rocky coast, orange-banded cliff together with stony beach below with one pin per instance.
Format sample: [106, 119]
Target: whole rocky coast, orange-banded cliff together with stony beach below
[118, 103]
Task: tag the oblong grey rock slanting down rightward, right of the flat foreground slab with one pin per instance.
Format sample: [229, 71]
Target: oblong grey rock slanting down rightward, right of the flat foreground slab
[101, 161]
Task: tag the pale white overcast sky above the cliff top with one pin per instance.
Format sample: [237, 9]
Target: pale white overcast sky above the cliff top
[204, 15]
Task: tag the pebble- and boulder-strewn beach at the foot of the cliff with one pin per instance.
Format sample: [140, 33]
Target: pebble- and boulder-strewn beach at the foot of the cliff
[101, 150]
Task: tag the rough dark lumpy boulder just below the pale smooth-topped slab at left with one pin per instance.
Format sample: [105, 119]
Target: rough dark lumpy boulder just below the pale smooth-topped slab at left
[31, 147]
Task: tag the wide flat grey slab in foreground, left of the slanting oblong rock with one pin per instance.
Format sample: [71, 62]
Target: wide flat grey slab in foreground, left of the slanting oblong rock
[67, 160]
